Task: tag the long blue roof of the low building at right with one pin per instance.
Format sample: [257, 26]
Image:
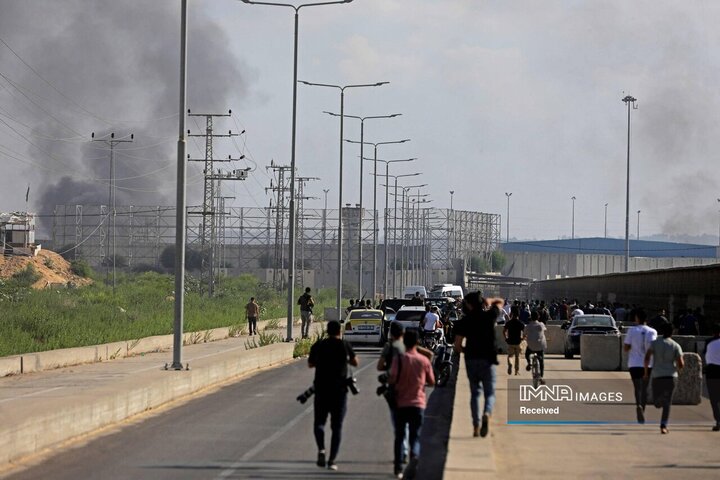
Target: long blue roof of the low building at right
[614, 246]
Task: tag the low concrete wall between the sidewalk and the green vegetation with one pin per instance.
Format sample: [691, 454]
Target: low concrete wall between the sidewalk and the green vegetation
[65, 357]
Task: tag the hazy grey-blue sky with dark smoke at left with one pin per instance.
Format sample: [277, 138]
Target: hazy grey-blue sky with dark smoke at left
[497, 96]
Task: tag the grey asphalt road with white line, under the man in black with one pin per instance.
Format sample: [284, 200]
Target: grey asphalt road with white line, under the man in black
[250, 429]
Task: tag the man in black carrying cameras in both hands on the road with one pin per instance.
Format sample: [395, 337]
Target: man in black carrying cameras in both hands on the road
[330, 358]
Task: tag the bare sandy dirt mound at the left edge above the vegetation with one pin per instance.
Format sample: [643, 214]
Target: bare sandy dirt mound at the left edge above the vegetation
[52, 268]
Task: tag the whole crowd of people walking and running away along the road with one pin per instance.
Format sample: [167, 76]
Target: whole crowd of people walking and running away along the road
[654, 360]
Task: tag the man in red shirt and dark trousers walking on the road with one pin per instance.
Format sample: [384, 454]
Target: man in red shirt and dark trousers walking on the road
[409, 374]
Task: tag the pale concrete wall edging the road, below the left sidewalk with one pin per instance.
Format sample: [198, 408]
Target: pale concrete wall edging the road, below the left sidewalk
[128, 398]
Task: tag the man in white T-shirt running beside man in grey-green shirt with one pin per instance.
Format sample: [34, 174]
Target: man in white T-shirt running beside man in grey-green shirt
[636, 343]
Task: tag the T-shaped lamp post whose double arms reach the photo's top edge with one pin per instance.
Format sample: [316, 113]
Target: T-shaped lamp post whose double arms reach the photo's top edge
[292, 232]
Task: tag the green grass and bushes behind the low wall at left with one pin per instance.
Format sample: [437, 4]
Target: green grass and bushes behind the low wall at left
[143, 305]
